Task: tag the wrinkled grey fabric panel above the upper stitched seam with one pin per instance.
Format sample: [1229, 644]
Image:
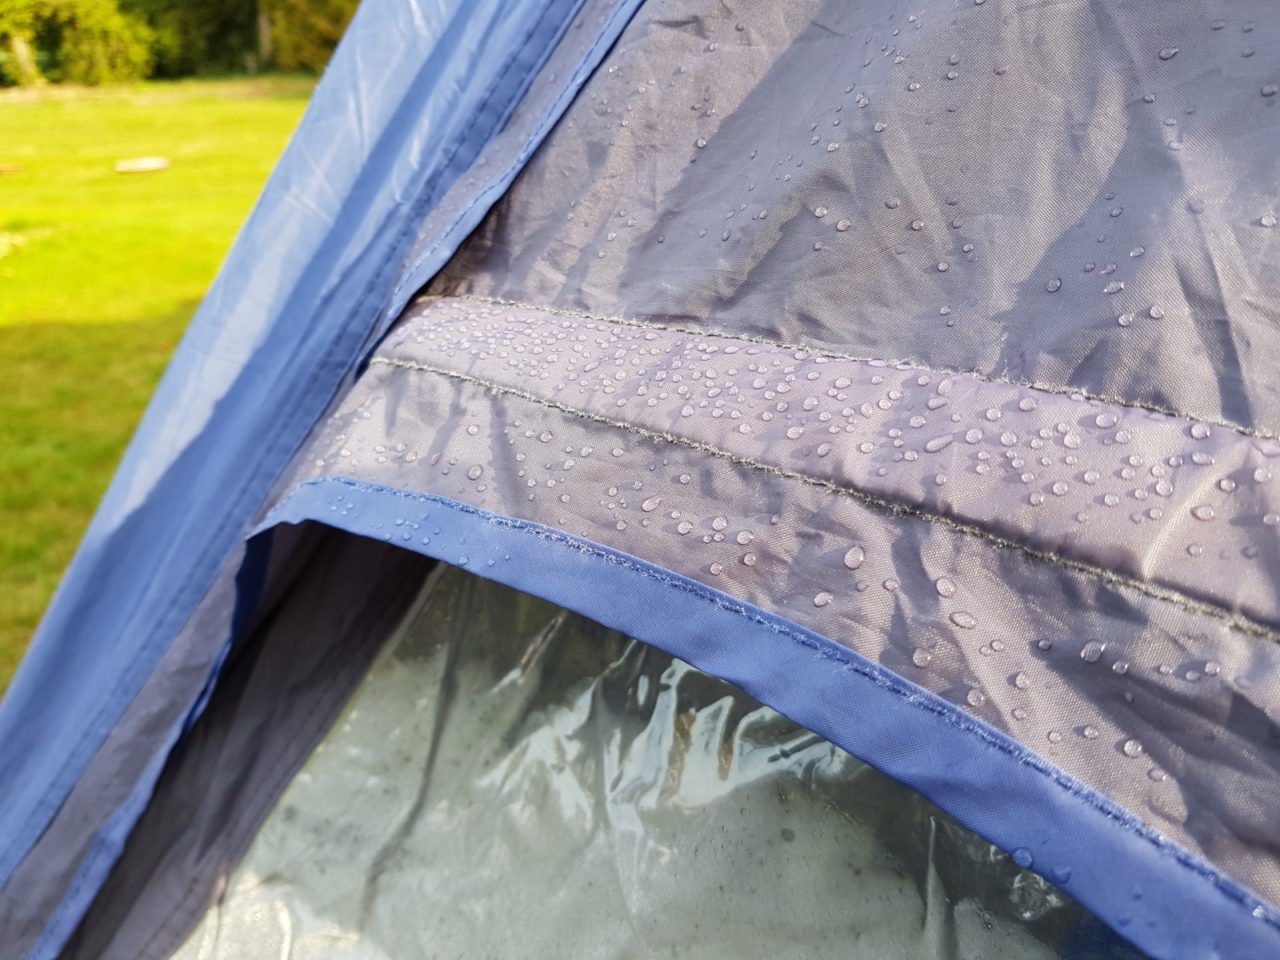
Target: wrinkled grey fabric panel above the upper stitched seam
[1081, 195]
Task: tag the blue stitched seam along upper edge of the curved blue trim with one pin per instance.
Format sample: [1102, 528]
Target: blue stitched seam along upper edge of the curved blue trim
[829, 650]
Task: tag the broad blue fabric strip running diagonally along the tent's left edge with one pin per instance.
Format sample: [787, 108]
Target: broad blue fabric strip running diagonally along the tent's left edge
[409, 102]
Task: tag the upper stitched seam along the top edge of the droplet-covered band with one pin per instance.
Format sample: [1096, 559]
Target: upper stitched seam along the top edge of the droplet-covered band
[1261, 433]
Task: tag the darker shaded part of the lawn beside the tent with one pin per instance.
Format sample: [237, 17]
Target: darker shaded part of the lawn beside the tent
[72, 399]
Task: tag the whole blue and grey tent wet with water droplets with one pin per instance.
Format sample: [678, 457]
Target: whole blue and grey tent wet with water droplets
[700, 479]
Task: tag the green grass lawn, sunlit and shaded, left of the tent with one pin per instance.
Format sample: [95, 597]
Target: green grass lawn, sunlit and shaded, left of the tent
[99, 275]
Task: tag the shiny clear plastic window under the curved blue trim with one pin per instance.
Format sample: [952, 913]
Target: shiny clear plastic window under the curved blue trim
[524, 783]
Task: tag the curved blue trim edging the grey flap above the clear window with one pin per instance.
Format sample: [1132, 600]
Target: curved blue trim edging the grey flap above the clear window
[1158, 895]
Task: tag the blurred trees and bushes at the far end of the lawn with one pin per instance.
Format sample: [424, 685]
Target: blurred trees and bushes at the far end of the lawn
[103, 42]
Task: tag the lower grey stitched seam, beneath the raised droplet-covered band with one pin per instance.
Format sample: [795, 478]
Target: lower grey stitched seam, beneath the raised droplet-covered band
[898, 509]
